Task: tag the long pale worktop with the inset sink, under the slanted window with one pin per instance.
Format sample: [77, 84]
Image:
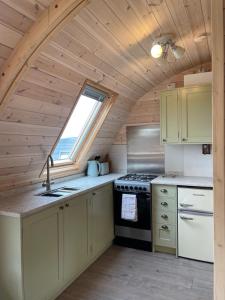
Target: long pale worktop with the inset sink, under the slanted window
[27, 203]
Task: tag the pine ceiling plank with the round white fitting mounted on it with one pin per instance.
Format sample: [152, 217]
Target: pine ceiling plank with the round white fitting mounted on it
[197, 22]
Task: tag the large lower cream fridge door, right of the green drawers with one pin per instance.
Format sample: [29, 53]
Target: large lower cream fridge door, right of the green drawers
[195, 235]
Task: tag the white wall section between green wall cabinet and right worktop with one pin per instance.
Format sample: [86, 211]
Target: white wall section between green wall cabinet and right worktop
[188, 160]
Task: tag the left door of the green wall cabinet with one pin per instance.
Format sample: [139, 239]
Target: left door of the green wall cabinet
[169, 117]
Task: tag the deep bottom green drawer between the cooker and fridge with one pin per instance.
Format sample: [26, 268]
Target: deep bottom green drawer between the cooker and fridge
[165, 235]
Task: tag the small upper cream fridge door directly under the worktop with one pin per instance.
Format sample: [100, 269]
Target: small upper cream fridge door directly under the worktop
[195, 199]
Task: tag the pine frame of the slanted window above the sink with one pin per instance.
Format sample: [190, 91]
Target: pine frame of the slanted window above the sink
[69, 166]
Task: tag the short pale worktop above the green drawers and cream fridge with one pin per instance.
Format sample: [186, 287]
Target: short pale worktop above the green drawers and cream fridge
[184, 181]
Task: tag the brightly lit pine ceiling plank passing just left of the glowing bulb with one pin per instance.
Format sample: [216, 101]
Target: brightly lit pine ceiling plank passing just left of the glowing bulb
[130, 21]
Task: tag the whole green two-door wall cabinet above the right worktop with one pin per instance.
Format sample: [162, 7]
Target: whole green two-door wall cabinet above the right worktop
[186, 115]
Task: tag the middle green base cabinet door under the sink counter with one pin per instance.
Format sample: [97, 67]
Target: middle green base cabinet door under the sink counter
[75, 237]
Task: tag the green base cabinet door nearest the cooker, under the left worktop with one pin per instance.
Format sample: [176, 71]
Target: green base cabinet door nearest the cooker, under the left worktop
[102, 227]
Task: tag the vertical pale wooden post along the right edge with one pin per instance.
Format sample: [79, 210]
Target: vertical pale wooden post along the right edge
[218, 15]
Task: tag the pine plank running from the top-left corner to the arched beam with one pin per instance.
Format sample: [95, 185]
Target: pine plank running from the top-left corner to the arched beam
[25, 7]
